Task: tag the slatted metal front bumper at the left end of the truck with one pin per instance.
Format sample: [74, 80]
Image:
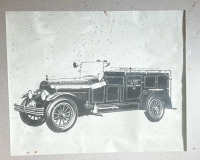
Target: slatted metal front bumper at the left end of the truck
[29, 110]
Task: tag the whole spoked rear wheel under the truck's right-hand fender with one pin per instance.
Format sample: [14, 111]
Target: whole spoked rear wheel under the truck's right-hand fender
[155, 108]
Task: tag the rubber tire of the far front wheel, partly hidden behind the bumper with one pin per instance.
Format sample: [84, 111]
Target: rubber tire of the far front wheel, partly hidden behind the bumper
[25, 118]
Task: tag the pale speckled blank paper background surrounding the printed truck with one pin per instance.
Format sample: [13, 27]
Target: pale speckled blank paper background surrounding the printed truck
[40, 43]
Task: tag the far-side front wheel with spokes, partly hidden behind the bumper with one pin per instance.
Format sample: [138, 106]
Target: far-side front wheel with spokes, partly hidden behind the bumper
[30, 119]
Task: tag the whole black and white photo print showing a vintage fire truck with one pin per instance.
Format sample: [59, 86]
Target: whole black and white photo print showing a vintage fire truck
[94, 81]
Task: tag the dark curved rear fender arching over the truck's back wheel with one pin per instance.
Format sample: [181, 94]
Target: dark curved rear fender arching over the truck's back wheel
[163, 94]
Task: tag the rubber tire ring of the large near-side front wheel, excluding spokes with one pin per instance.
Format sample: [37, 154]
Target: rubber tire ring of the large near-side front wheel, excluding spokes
[49, 111]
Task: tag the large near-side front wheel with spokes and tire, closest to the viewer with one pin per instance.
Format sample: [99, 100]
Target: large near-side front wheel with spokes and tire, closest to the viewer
[61, 115]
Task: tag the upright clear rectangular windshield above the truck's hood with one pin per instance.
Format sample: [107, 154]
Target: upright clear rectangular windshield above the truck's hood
[91, 69]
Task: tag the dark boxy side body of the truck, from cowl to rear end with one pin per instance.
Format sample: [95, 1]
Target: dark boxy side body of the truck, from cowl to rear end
[122, 87]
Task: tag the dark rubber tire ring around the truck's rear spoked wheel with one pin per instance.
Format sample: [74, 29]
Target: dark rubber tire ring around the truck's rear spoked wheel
[147, 113]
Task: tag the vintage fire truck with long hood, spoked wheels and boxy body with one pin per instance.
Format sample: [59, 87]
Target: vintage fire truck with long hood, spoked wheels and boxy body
[59, 102]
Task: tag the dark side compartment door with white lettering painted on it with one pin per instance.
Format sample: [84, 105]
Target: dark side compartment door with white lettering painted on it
[133, 87]
